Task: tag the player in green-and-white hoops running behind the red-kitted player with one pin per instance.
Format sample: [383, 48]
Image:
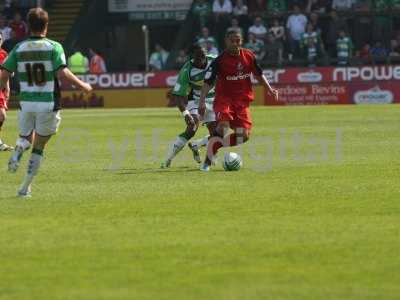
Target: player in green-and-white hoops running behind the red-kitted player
[188, 86]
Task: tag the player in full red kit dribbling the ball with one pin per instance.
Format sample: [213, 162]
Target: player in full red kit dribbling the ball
[232, 72]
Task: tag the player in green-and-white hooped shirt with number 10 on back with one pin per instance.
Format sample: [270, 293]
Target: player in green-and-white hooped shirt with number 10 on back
[38, 62]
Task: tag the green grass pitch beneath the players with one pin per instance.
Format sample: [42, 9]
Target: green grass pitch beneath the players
[108, 224]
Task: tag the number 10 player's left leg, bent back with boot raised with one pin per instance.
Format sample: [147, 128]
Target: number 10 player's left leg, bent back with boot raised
[26, 123]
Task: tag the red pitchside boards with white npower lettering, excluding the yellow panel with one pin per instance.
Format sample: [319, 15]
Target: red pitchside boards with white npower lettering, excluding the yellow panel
[325, 85]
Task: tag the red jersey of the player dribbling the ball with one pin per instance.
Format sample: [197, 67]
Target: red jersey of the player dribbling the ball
[233, 75]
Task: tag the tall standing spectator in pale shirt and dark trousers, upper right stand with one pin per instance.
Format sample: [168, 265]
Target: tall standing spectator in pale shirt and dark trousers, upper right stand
[296, 26]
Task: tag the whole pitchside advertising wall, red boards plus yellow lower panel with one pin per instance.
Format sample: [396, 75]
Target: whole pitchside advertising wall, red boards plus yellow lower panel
[297, 86]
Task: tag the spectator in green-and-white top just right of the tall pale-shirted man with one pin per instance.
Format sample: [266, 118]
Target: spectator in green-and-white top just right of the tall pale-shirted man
[310, 44]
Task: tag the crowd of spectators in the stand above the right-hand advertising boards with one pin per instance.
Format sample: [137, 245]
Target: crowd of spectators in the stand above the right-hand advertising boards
[301, 33]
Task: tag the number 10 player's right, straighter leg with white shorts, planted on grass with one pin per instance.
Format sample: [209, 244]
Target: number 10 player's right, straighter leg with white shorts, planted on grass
[46, 126]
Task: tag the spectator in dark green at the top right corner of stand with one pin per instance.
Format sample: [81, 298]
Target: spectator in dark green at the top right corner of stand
[383, 22]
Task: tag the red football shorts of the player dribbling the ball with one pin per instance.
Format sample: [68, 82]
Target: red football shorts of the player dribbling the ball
[236, 112]
